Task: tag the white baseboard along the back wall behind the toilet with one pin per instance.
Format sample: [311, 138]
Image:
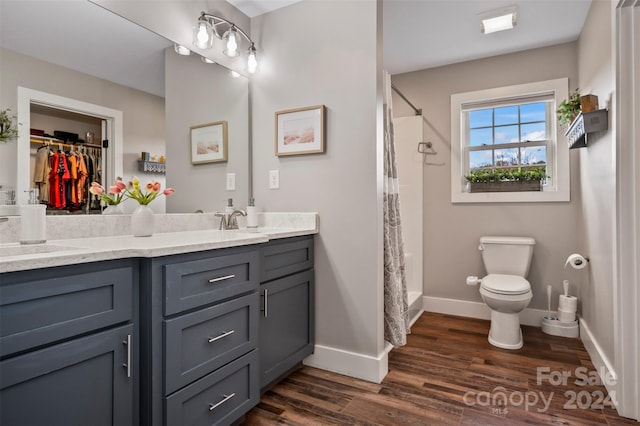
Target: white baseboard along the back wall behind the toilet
[480, 310]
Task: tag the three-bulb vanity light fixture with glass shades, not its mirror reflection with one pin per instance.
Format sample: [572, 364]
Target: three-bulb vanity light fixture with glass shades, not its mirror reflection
[207, 27]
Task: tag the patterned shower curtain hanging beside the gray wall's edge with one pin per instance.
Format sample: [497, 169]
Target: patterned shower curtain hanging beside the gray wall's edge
[396, 306]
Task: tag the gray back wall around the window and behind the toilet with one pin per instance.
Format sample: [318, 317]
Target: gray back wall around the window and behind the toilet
[452, 231]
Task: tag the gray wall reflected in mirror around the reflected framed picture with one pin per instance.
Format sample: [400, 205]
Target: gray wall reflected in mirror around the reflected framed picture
[197, 93]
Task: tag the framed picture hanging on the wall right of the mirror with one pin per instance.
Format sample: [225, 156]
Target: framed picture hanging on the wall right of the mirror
[300, 131]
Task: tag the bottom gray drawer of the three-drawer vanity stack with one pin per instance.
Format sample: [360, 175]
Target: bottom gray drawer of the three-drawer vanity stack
[219, 398]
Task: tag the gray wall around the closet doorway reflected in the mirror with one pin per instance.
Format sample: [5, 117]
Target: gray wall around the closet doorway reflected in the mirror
[143, 128]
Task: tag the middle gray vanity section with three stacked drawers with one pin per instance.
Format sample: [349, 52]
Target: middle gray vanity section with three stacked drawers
[200, 313]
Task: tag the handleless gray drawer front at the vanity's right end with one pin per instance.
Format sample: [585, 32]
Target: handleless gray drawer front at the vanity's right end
[286, 257]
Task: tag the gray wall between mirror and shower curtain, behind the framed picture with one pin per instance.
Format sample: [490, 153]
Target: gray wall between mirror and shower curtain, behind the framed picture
[318, 56]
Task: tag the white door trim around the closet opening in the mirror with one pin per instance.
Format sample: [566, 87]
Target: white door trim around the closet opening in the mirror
[28, 96]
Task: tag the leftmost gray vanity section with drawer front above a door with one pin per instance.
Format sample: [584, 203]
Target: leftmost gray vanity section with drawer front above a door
[68, 339]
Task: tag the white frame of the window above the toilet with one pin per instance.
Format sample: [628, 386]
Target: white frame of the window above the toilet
[556, 190]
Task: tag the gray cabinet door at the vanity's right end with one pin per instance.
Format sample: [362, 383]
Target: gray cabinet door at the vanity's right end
[286, 325]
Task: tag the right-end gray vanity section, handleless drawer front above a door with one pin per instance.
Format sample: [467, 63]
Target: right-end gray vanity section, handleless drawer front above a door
[287, 307]
